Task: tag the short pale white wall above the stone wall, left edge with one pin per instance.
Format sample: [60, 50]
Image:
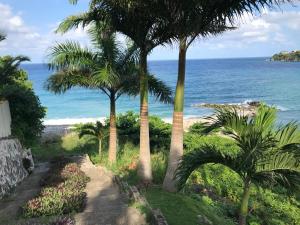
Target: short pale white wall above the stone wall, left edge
[5, 119]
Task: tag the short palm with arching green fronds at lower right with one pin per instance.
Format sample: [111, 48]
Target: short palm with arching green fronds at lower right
[267, 156]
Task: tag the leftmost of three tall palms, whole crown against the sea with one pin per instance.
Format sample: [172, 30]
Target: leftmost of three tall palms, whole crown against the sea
[107, 68]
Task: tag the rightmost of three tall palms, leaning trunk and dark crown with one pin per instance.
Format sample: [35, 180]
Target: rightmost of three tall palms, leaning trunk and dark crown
[191, 19]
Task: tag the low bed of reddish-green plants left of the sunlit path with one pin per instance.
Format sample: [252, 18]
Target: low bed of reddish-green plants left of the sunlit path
[62, 192]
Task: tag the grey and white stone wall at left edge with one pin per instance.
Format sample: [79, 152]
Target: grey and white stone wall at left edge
[12, 170]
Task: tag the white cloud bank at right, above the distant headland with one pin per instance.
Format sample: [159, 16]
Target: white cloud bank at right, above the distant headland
[270, 28]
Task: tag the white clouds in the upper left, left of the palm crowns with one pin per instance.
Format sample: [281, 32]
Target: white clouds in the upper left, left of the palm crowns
[27, 40]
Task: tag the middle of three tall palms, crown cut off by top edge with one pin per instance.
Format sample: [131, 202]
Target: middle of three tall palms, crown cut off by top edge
[140, 21]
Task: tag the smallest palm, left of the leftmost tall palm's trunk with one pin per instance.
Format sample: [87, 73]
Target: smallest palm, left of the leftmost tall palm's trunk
[97, 130]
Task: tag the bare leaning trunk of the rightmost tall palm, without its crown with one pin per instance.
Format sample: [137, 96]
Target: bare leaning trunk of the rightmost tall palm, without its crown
[176, 150]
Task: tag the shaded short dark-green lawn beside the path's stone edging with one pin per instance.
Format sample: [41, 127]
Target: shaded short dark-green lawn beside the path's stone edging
[181, 209]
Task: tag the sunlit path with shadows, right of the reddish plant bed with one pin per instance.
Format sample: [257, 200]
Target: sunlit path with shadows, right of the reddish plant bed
[105, 204]
